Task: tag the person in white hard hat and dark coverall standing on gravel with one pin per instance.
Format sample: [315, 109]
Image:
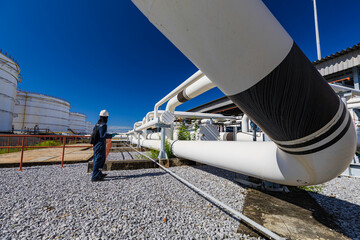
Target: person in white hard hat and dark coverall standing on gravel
[98, 139]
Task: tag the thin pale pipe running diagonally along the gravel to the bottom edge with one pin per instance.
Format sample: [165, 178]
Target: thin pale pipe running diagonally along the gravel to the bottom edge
[216, 201]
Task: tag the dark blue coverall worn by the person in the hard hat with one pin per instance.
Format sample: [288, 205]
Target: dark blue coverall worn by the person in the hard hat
[100, 150]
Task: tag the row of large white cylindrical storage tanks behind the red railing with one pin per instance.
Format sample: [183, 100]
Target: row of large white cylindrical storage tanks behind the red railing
[34, 113]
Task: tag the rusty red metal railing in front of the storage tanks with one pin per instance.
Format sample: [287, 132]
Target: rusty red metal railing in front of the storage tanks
[31, 142]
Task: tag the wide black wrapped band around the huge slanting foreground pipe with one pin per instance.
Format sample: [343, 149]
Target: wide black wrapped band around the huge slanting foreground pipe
[291, 102]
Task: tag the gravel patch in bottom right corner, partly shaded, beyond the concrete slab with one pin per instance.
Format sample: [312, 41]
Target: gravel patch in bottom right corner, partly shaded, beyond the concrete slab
[340, 197]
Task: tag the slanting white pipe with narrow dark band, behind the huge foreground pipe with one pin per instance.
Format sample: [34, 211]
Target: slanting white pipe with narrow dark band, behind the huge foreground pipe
[202, 85]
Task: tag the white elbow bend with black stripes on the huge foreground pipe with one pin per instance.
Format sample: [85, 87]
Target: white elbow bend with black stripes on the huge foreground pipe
[320, 157]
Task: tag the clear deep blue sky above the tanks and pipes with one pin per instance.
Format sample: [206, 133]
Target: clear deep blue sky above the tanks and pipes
[106, 55]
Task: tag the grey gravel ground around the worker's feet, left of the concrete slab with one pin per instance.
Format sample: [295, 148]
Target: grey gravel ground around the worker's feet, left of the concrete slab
[49, 202]
